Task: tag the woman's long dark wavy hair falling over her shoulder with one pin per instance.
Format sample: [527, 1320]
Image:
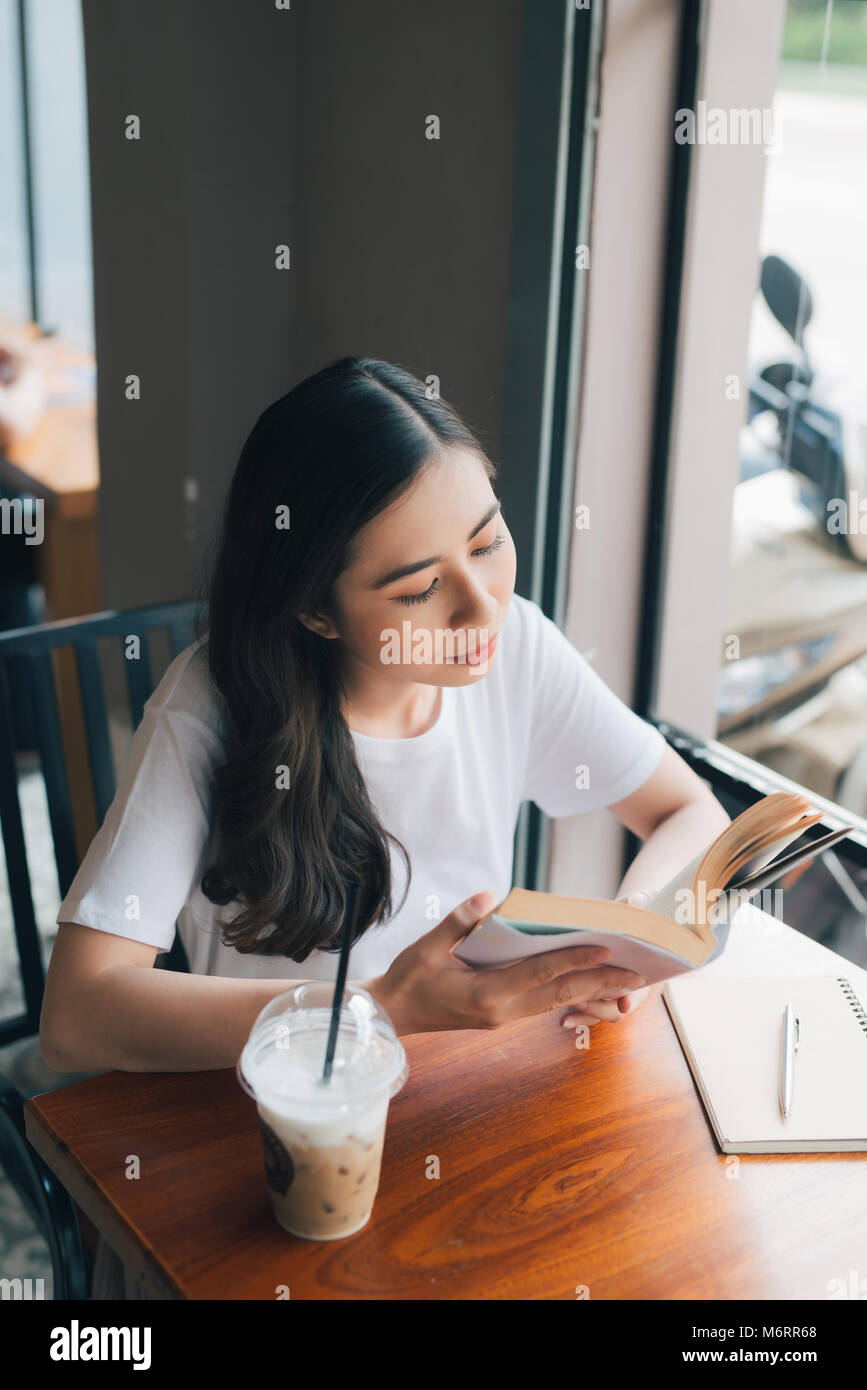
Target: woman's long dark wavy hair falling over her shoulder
[326, 459]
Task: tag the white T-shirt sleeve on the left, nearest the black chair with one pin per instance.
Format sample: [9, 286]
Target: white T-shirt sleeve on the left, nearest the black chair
[147, 856]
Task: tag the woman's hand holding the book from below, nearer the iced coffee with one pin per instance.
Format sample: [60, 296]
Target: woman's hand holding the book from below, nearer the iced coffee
[427, 989]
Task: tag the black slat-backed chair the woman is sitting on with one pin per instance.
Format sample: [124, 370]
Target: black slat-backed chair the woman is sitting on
[48, 1204]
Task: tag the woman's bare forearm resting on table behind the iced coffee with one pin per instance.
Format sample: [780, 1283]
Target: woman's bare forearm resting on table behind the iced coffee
[106, 1008]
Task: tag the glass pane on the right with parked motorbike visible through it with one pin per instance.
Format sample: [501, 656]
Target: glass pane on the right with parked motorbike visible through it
[793, 689]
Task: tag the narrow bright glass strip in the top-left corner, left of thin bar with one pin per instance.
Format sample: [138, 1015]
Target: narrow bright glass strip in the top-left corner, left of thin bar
[15, 276]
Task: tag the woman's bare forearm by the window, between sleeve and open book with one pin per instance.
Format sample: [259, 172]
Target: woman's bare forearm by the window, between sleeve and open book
[677, 817]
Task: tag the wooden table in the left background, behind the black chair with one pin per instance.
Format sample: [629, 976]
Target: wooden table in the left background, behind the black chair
[59, 462]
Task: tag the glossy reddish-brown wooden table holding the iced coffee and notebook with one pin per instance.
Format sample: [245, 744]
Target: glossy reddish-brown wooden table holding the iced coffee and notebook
[559, 1170]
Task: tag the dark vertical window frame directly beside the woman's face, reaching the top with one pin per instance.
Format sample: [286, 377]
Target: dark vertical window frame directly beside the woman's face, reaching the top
[558, 106]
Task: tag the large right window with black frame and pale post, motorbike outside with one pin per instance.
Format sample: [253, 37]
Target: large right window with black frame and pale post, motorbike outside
[755, 632]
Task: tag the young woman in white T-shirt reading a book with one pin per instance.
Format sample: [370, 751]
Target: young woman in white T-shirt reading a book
[370, 703]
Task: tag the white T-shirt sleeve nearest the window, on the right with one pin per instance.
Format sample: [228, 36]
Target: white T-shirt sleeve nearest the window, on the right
[587, 749]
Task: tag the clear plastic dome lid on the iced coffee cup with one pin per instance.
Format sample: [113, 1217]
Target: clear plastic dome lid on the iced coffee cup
[284, 1057]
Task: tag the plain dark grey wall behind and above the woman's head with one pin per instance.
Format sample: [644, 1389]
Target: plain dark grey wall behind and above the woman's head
[302, 127]
